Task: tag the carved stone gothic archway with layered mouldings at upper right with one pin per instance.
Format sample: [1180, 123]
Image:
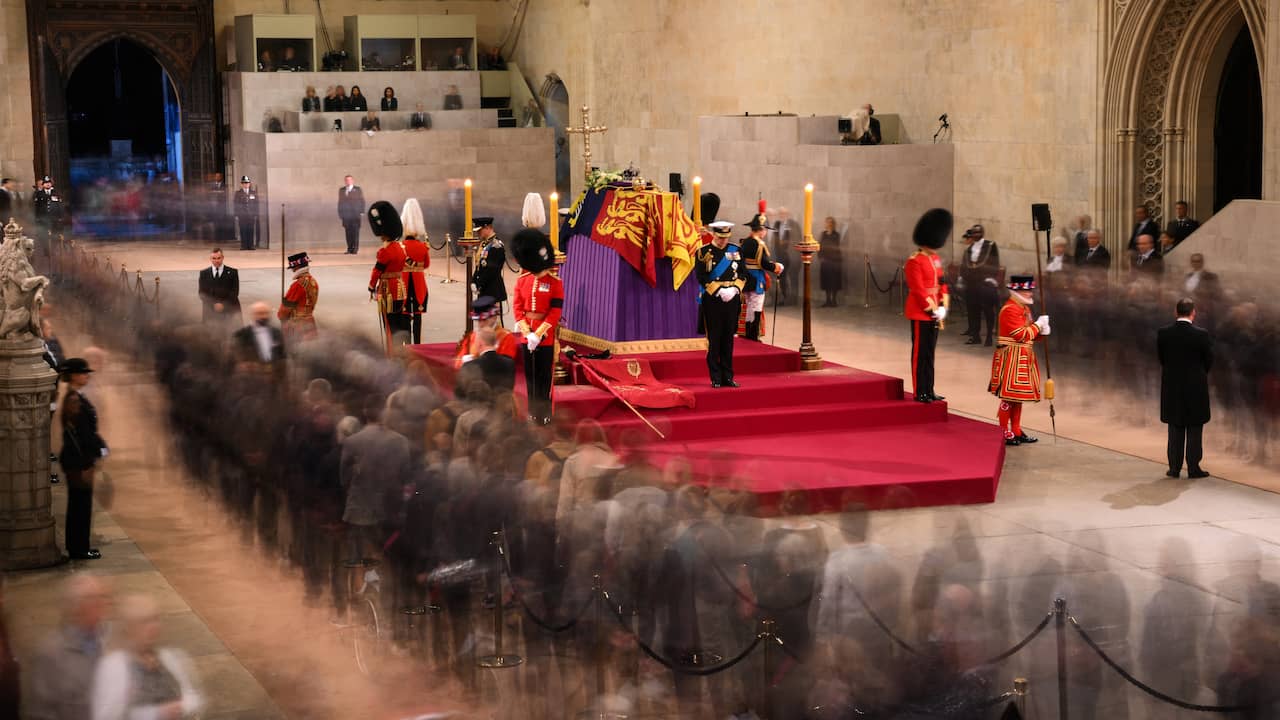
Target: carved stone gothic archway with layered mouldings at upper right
[1162, 72]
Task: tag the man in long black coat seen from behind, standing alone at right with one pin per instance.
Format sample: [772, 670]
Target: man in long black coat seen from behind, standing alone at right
[1186, 357]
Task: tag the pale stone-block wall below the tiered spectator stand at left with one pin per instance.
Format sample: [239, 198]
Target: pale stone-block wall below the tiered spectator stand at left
[305, 171]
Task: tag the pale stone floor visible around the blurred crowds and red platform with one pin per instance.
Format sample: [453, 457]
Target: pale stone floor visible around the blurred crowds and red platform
[1090, 517]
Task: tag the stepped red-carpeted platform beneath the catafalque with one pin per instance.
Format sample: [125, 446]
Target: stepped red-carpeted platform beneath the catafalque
[835, 434]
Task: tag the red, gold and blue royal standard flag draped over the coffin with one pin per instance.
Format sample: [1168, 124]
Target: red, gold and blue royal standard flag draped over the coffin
[641, 226]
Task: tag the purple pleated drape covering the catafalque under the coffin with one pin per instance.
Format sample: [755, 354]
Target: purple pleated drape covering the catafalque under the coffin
[606, 298]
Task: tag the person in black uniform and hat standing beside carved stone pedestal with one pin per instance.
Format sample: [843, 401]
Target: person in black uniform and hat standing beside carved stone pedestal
[83, 450]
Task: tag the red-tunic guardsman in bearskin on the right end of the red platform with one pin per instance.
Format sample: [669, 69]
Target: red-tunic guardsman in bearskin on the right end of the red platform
[927, 299]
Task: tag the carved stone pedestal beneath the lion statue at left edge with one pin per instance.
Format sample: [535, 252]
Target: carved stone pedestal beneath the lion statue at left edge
[26, 518]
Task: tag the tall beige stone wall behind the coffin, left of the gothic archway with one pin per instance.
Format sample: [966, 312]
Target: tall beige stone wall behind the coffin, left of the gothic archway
[1017, 79]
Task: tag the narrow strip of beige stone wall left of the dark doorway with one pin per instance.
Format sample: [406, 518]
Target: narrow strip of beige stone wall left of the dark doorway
[16, 133]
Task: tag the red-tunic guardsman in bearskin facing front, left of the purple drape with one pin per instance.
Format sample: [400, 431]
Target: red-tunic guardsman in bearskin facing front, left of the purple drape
[537, 307]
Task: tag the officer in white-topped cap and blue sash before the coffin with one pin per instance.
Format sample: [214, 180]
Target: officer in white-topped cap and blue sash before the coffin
[723, 276]
